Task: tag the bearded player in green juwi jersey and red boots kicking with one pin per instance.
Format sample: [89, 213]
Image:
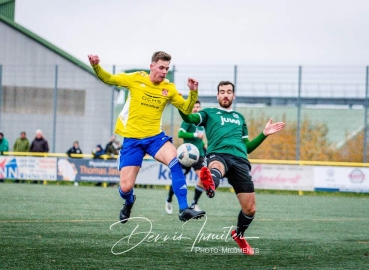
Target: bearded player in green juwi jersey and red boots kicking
[228, 146]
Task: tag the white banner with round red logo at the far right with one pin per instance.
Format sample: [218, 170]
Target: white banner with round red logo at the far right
[349, 179]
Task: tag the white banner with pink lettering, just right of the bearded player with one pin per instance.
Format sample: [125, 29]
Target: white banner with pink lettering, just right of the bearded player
[283, 177]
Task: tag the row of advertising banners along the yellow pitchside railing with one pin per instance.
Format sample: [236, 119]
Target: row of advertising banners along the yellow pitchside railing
[265, 176]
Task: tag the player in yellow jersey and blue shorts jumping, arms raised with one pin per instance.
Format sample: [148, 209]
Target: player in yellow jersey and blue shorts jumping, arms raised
[139, 123]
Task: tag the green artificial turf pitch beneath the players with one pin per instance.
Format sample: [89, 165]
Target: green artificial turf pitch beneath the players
[67, 227]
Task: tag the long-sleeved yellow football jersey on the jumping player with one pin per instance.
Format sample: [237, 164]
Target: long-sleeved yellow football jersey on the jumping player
[143, 110]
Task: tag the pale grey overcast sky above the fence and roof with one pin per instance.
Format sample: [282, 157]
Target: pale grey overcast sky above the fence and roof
[242, 32]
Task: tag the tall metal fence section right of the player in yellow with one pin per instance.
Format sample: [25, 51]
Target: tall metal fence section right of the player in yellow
[325, 107]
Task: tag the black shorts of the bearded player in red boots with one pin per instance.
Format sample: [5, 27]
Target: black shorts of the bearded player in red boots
[237, 170]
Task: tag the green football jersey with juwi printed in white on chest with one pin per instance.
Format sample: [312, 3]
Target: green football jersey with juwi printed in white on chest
[225, 131]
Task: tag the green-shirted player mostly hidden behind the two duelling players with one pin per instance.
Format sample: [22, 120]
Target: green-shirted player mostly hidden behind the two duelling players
[193, 134]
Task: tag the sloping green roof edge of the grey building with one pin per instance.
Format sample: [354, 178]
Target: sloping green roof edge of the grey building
[47, 44]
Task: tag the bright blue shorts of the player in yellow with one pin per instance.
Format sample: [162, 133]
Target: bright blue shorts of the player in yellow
[134, 150]
